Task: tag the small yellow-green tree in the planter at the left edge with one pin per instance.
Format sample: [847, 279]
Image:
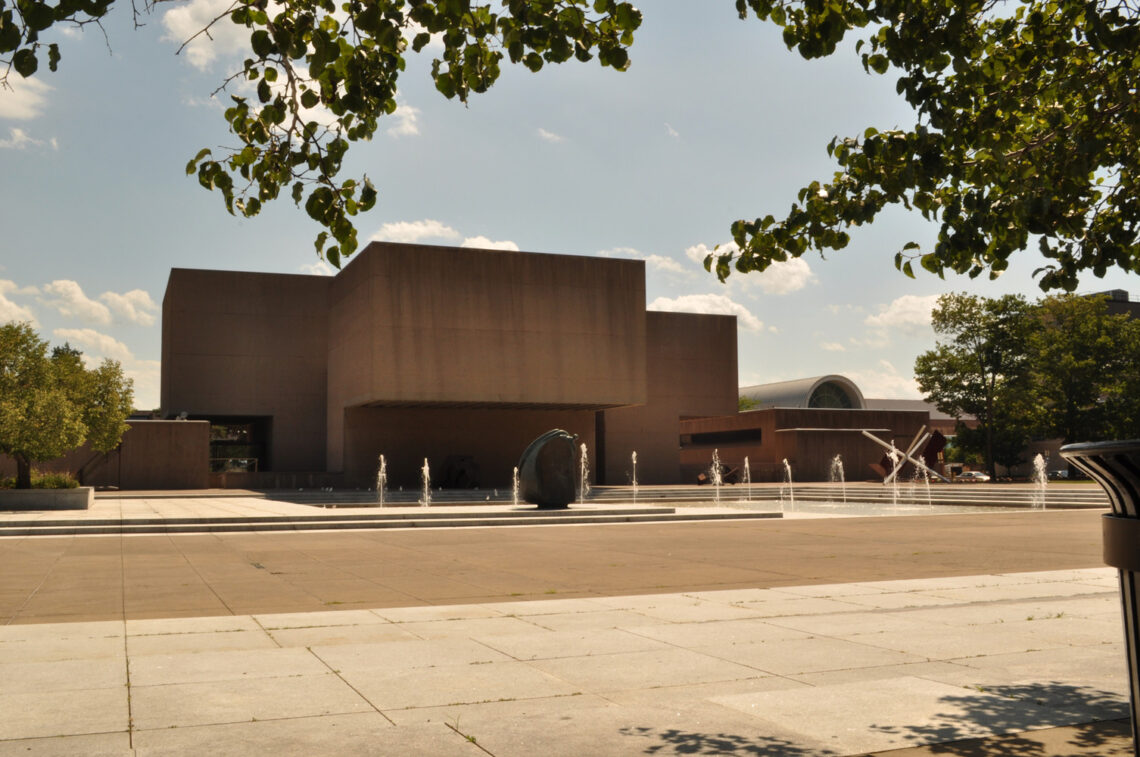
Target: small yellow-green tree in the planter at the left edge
[52, 404]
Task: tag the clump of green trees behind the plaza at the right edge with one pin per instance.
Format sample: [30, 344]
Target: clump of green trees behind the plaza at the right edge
[1061, 368]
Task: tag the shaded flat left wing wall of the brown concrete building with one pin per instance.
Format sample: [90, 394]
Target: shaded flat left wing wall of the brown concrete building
[253, 345]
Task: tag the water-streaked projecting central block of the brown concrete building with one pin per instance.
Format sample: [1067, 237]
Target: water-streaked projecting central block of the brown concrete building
[421, 325]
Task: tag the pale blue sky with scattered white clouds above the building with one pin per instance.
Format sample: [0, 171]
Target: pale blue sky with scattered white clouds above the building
[714, 121]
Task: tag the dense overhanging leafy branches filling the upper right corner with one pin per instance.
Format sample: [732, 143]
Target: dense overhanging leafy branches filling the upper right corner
[1028, 133]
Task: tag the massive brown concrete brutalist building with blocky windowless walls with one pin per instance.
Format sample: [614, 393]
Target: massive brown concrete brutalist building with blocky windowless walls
[450, 354]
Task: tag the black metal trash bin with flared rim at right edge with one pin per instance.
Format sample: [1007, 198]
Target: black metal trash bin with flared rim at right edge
[1115, 466]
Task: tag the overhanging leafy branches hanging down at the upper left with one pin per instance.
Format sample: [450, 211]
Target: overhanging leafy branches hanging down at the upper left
[325, 74]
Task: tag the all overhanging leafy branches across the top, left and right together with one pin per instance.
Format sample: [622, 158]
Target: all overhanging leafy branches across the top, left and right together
[1028, 128]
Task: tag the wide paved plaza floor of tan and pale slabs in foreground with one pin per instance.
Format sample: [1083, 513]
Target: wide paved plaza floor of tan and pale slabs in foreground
[983, 634]
